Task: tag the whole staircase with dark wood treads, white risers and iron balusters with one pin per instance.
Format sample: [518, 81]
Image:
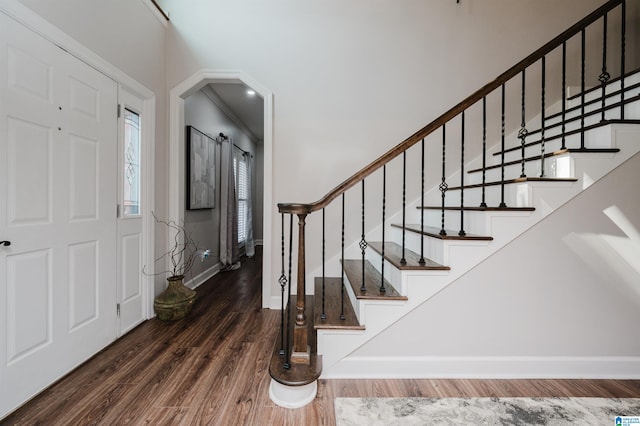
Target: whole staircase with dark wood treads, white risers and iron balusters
[394, 244]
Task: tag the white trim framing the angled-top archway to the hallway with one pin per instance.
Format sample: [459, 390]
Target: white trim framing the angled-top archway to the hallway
[177, 96]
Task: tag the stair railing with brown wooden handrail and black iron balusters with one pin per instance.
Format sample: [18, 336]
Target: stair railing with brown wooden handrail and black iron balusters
[557, 68]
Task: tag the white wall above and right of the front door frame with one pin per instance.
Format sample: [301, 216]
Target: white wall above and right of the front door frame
[128, 35]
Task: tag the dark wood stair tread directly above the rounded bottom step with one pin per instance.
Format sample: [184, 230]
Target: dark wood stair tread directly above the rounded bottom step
[332, 307]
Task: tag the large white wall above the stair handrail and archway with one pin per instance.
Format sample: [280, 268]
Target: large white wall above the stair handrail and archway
[352, 79]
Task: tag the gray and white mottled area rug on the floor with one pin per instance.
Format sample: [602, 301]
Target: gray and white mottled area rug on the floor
[487, 411]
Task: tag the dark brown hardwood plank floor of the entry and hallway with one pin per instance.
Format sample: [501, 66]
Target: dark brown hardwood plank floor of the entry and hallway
[212, 368]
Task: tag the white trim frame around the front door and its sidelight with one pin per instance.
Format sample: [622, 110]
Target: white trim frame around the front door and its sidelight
[39, 25]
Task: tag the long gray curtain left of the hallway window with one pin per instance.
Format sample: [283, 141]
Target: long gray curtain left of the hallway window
[229, 251]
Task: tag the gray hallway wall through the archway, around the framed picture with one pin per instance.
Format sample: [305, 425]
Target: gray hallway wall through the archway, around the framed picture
[204, 225]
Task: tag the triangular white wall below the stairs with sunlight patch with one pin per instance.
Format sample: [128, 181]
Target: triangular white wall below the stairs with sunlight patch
[568, 287]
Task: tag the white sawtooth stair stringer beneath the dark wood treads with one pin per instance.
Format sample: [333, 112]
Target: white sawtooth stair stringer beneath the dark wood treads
[419, 286]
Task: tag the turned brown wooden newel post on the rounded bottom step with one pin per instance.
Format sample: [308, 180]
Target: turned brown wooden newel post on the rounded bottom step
[301, 352]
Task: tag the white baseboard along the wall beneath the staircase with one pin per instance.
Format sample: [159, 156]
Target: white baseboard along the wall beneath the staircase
[485, 368]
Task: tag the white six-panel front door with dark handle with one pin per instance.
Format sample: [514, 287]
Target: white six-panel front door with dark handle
[58, 197]
